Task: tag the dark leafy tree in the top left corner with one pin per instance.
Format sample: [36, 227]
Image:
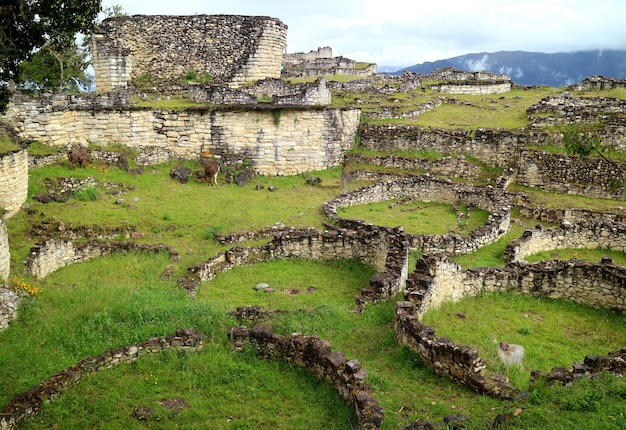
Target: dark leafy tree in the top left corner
[26, 26]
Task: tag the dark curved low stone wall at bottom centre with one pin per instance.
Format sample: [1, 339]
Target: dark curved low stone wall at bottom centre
[347, 377]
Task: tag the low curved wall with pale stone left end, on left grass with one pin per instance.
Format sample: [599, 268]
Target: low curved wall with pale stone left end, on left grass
[52, 254]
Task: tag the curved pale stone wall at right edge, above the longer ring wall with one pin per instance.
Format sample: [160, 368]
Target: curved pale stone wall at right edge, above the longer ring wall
[605, 234]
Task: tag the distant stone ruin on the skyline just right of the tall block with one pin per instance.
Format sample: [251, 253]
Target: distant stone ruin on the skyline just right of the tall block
[322, 63]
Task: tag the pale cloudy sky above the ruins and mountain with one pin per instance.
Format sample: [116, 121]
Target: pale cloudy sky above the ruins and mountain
[401, 33]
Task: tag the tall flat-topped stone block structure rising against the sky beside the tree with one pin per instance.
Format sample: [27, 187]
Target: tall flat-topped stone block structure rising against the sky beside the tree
[233, 49]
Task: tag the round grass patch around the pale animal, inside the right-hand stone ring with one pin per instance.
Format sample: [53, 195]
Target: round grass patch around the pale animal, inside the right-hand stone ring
[553, 333]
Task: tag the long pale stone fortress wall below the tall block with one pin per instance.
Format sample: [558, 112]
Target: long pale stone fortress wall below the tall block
[276, 141]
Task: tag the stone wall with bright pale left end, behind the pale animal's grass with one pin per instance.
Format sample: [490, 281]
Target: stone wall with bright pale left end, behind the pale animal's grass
[437, 279]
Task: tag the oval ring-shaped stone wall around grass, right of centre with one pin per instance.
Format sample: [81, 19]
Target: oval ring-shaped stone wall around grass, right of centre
[428, 189]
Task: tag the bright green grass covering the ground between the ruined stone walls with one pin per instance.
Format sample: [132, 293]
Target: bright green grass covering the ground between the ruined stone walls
[87, 308]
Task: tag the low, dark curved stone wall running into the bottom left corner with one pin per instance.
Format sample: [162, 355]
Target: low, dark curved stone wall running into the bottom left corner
[25, 405]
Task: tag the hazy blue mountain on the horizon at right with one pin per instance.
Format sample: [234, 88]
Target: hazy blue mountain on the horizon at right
[536, 68]
